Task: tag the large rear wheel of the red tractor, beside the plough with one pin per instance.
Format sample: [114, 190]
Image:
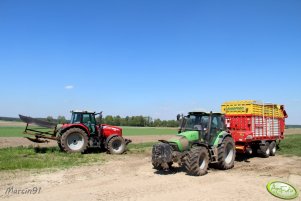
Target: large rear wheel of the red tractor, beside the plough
[74, 140]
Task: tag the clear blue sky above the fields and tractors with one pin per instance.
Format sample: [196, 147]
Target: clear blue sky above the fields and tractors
[155, 58]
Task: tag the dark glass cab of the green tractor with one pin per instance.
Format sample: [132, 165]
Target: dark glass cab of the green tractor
[209, 125]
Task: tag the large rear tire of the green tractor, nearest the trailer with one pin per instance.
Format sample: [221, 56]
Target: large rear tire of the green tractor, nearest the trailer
[226, 154]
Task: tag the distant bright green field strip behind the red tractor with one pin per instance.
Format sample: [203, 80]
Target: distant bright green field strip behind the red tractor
[127, 131]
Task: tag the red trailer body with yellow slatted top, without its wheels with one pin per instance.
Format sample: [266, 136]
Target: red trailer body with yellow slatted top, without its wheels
[251, 127]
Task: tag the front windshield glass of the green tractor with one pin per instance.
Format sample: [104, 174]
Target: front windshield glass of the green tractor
[196, 122]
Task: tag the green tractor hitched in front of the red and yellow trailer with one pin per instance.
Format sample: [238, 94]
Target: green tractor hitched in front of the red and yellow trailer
[202, 139]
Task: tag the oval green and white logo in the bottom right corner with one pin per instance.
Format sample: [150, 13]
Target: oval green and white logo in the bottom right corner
[282, 190]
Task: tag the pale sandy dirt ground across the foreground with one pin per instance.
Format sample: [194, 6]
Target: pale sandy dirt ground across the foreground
[131, 177]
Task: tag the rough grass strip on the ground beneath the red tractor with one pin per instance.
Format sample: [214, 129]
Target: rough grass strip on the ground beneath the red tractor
[51, 157]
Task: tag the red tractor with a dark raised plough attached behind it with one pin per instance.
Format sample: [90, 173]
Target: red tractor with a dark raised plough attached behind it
[81, 133]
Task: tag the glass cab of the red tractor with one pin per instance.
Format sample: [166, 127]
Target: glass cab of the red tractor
[87, 118]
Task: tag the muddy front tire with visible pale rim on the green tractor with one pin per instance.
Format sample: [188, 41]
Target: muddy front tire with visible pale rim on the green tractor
[197, 161]
